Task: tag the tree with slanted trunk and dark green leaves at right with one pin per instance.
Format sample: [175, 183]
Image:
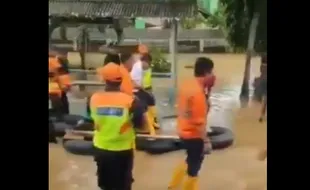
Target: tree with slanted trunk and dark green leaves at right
[240, 15]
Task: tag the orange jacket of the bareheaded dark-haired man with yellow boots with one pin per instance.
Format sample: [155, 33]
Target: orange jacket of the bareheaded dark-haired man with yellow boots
[192, 110]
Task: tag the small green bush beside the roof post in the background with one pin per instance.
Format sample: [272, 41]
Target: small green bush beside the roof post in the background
[159, 63]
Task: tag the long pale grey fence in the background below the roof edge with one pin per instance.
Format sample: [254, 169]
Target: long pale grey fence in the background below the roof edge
[188, 40]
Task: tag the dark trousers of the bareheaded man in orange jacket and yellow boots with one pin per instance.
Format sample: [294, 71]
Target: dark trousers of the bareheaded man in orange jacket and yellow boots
[195, 155]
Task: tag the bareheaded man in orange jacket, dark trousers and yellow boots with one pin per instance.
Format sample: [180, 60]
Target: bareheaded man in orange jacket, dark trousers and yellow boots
[191, 124]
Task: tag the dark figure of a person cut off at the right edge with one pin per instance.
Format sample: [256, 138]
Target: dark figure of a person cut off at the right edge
[263, 83]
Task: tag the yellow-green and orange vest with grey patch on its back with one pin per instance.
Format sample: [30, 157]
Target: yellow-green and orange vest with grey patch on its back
[110, 113]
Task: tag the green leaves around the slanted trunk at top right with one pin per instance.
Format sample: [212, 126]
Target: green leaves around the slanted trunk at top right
[234, 17]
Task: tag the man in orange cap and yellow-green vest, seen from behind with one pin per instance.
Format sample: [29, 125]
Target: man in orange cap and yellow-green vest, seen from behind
[115, 114]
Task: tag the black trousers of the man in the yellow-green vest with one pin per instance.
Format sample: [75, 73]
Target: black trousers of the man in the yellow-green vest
[114, 169]
